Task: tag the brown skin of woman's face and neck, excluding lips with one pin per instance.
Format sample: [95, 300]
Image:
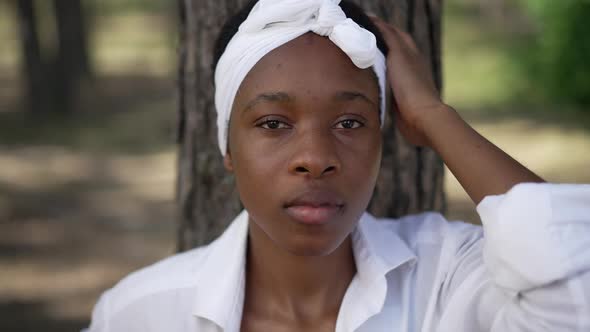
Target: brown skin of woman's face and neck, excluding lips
[302, 126]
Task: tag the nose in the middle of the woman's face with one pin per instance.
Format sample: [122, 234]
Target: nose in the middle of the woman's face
[314, 155]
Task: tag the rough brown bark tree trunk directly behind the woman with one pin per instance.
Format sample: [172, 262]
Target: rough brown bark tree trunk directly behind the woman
[411, 178]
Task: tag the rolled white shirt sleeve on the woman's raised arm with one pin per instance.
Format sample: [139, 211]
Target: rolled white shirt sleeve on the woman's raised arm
[531, 270]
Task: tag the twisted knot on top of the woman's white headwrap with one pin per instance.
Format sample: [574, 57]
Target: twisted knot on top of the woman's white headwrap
[323, 17]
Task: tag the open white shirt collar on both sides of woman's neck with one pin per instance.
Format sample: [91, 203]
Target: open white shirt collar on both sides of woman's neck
[221, 279]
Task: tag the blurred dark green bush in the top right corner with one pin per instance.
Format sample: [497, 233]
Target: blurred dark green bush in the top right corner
[559, 57]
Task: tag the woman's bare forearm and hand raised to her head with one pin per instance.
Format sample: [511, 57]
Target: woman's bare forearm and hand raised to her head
[481, 167]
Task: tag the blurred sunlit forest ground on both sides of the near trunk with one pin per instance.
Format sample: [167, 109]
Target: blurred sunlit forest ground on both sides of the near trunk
[85, 200]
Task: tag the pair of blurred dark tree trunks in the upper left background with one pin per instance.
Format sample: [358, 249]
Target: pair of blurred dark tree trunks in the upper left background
[52, 75]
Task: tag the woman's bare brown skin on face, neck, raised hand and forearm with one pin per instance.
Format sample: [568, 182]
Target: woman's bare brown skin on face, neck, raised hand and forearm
[308, 126]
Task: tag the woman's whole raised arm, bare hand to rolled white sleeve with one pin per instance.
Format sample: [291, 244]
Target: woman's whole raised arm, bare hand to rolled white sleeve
[532, 272]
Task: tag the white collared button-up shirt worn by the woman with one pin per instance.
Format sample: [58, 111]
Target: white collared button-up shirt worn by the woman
[530, 272]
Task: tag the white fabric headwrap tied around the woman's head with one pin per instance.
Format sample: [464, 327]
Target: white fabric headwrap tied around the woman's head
[273, 23]
